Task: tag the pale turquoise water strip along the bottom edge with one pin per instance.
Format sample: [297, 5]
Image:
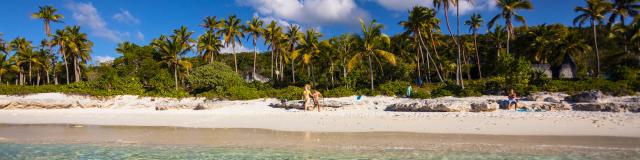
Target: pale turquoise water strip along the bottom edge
[10, 151]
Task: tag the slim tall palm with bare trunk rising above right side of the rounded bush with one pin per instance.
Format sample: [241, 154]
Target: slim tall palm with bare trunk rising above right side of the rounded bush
[232, 34]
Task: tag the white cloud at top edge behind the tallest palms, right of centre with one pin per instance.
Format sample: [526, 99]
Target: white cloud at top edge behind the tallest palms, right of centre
[465, 5]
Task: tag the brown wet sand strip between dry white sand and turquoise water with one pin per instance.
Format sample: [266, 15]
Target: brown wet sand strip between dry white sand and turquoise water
[262, 138]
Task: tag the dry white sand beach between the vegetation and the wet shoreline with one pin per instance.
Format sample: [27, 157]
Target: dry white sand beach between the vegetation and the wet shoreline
[367, 116]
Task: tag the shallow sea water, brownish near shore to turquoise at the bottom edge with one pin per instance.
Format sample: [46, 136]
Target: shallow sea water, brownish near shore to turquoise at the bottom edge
[34, 142]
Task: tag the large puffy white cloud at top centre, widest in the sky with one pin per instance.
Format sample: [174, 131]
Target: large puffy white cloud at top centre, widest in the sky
[310, 12]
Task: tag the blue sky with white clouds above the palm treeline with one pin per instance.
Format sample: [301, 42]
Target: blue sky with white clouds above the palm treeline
[109, 22]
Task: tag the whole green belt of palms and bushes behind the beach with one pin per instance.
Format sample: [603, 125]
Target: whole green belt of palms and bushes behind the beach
[368, 62]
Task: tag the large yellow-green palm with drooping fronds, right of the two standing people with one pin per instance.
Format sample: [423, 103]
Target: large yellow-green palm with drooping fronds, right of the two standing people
[370, 44]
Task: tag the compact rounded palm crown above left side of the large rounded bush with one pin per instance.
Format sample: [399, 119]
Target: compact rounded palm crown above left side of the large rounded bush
[209, 45]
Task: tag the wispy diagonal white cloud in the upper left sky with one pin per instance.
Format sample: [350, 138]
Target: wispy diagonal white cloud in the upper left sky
[87, 15]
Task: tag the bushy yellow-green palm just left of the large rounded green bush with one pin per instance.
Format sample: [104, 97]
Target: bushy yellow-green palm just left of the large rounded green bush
[173, 47]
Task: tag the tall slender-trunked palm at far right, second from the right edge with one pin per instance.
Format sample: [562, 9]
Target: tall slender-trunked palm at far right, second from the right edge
[594, 12]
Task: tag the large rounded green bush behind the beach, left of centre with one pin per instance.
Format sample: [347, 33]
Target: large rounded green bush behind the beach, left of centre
[215, 76]
